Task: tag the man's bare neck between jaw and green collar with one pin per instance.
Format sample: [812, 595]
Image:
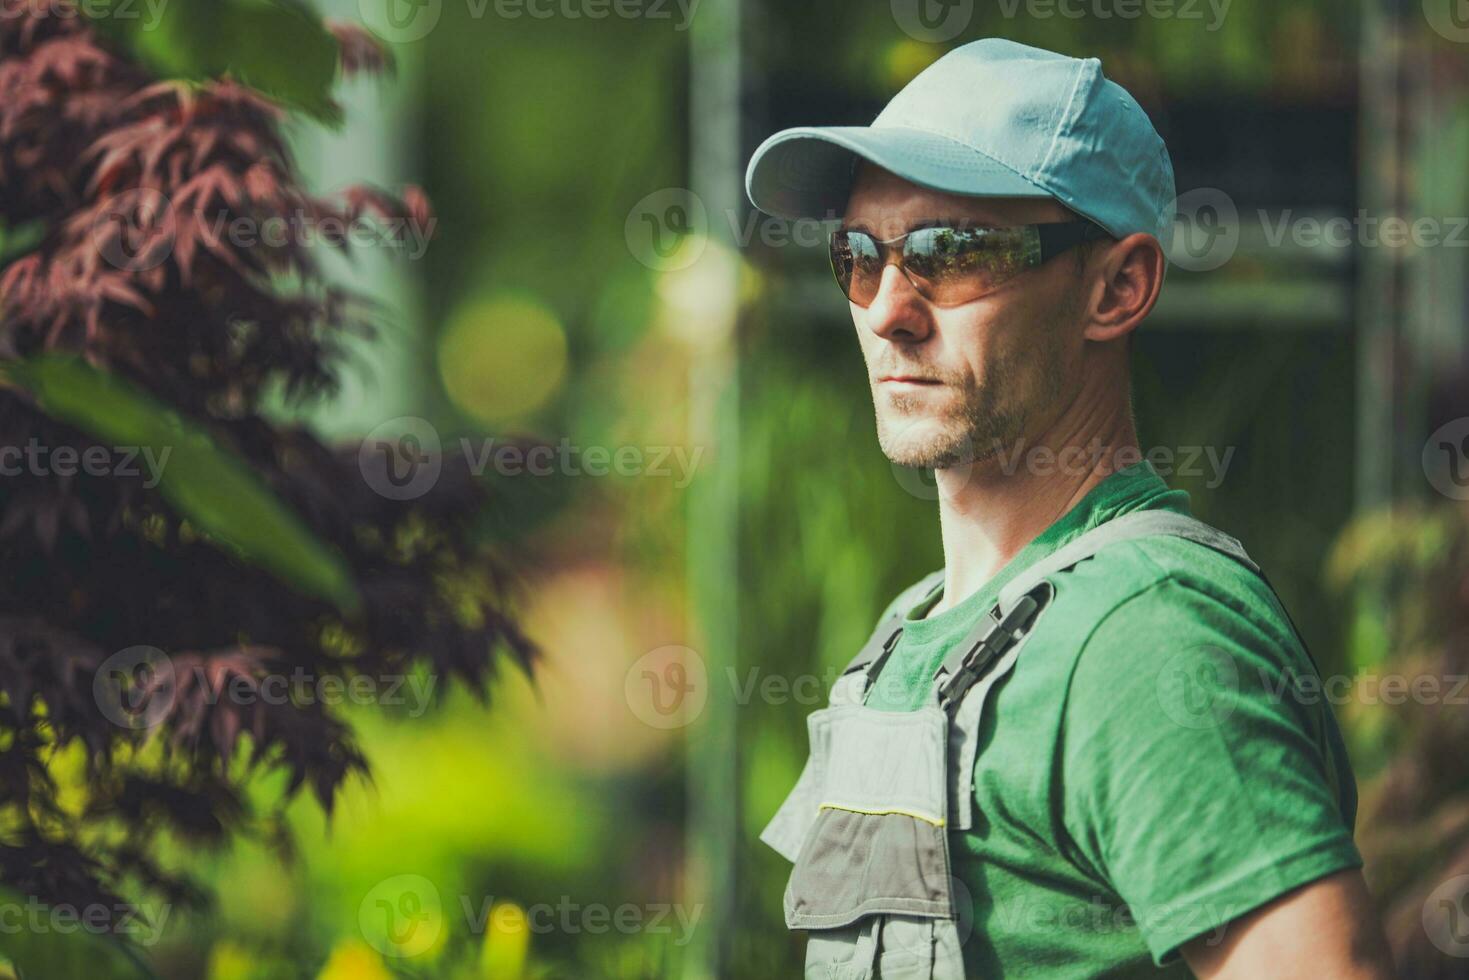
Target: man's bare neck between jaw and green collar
[994, 508]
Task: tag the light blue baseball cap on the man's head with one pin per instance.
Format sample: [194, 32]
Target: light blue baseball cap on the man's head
[989, 120]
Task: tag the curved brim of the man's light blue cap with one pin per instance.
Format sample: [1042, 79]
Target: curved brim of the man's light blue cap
[807, 173]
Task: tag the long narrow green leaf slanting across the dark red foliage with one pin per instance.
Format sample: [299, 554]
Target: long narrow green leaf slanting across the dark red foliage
[215, 490]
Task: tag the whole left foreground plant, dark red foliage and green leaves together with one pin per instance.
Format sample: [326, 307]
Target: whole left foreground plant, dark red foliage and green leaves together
[131, 320]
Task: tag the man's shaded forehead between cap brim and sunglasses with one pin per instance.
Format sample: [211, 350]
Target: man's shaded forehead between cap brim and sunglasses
[887, 203]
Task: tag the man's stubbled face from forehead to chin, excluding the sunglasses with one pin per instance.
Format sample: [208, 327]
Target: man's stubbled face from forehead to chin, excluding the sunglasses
[957, 384]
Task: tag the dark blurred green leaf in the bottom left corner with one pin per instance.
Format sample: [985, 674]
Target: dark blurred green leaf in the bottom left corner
[45, 943]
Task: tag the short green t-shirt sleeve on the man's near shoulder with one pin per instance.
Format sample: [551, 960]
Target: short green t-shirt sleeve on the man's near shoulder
[1198, 782]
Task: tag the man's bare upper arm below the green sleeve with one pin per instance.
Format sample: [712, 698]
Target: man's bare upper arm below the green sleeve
[1324, 929]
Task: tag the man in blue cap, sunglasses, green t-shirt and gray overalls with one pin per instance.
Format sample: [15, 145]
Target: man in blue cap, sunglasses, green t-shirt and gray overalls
[1116, 779]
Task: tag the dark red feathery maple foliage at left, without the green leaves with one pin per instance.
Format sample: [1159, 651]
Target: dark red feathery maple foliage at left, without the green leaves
[129, 183]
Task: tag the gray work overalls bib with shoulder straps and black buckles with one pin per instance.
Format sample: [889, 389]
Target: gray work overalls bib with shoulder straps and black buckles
[869, 824]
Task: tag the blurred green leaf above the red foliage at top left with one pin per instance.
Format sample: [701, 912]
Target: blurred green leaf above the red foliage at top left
[278, 48]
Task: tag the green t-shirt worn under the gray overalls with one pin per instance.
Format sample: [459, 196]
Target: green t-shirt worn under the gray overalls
[1147, 774]
